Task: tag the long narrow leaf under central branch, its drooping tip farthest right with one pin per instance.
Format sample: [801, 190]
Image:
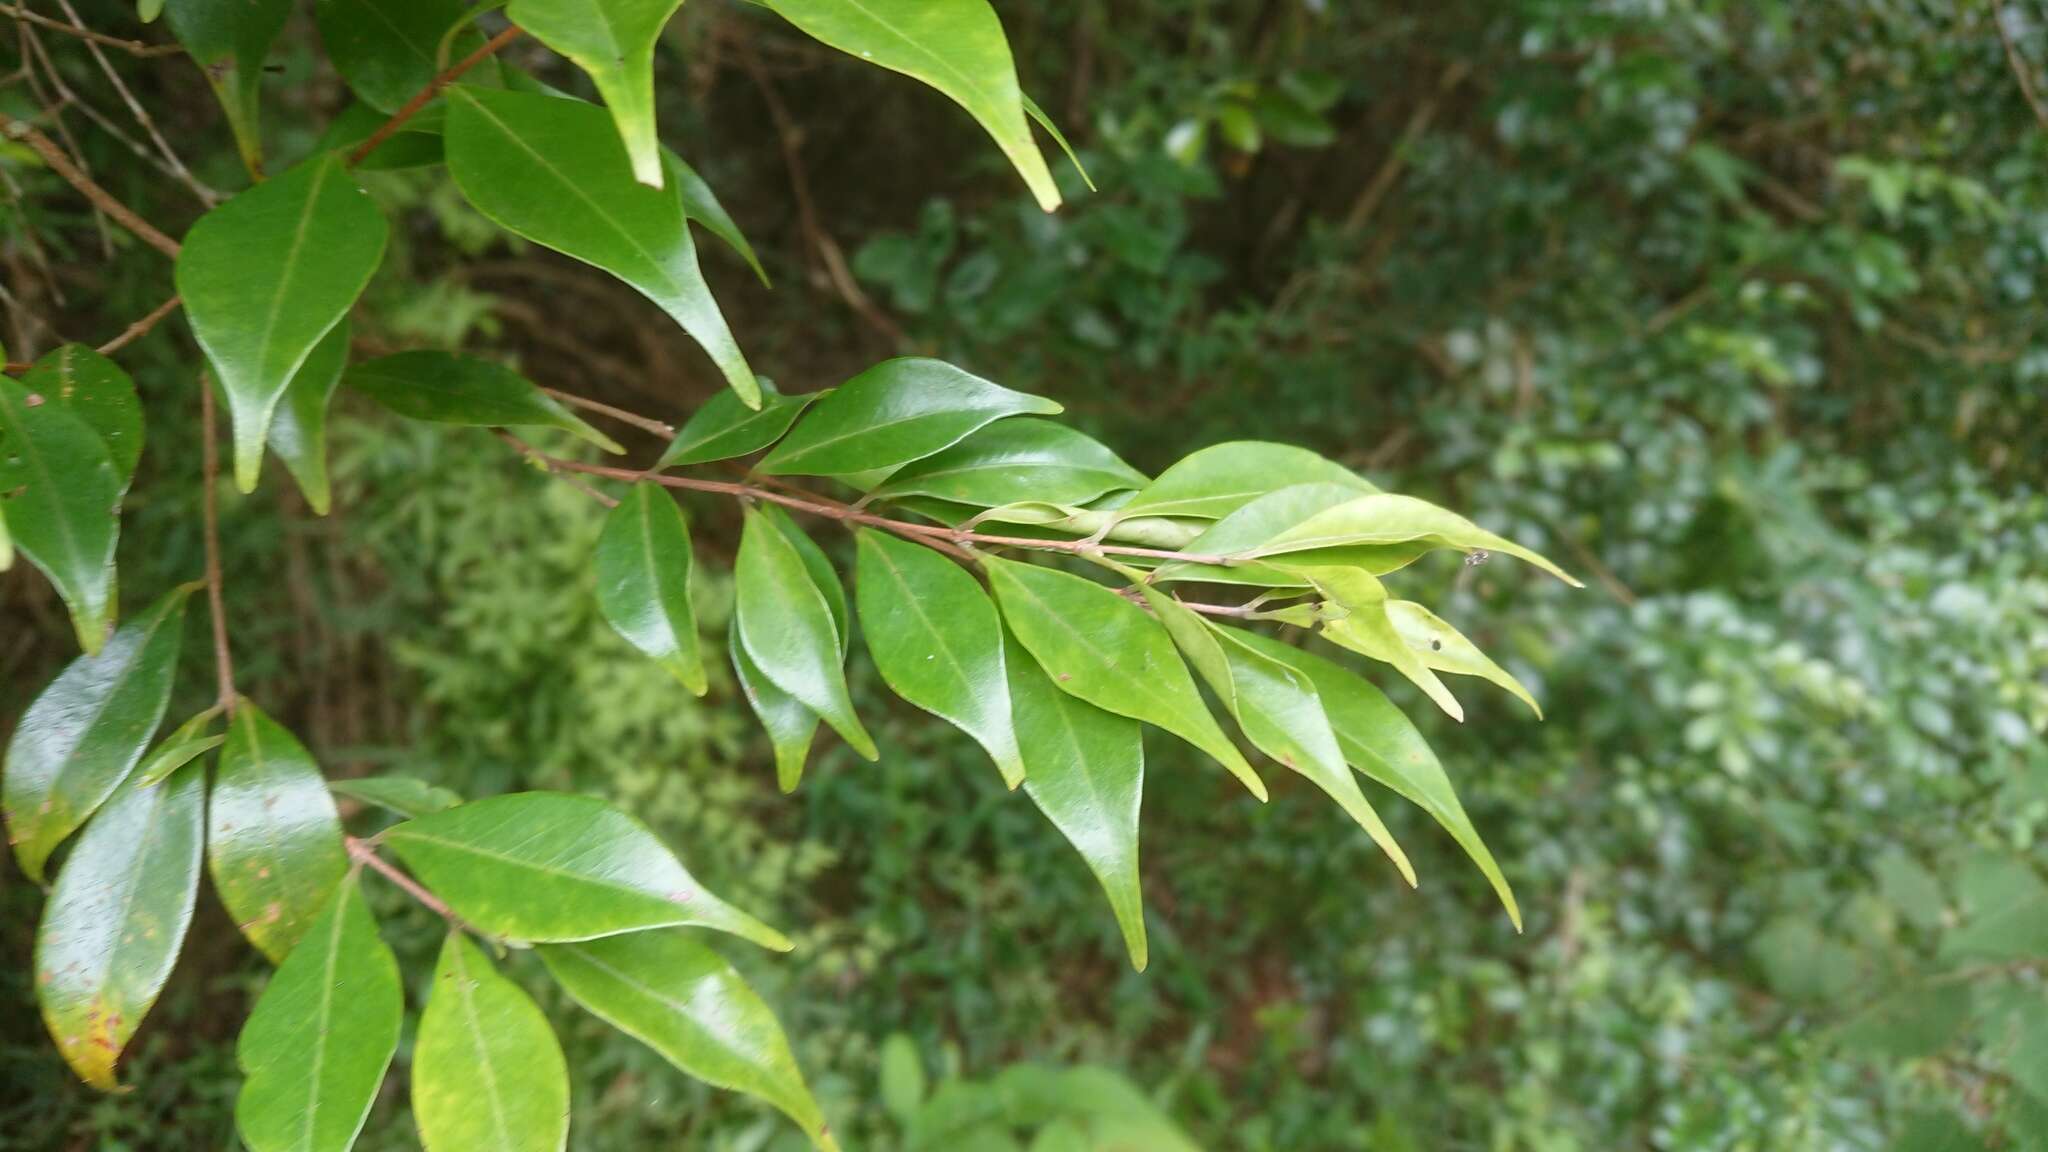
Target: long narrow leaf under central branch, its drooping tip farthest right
[1385, 745]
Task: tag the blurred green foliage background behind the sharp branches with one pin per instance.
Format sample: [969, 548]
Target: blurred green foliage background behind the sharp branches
[1730, 306]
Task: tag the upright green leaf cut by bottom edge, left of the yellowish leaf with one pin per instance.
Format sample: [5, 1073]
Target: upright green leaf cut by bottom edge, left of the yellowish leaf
[316, 1048]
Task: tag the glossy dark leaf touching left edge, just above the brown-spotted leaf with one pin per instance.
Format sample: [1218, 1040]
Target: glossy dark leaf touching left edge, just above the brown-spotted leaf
[87, 731]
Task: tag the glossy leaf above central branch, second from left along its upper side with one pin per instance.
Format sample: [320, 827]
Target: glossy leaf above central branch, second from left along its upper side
[1017, 460]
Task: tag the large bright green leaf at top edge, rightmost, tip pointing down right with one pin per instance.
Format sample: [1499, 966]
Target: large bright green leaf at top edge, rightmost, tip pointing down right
[955, 46]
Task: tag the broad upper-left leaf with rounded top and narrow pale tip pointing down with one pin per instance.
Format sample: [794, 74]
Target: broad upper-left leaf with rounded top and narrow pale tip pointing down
[267, 276]
